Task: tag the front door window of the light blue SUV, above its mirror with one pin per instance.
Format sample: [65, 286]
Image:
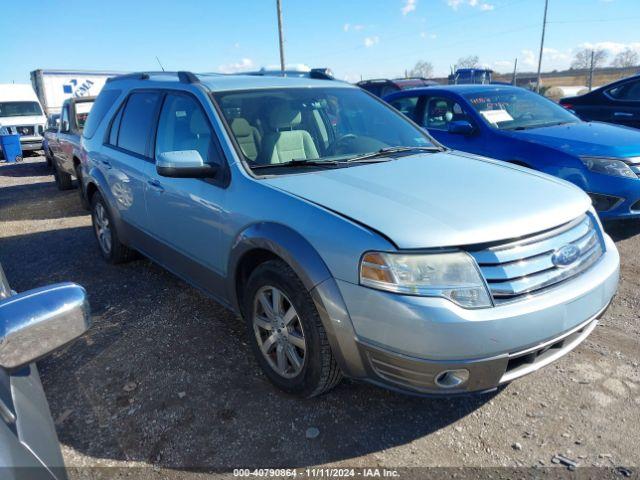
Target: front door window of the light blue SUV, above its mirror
[183, 125]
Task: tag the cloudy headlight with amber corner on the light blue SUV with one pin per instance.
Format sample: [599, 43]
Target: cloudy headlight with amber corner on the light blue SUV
[453, 275]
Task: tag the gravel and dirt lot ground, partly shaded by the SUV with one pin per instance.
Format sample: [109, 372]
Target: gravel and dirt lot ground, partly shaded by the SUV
[164, 377]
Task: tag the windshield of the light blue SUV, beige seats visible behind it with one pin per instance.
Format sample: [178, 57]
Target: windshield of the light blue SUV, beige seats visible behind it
[276, 126]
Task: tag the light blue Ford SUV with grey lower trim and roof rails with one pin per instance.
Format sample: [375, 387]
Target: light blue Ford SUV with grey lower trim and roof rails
[350, 241]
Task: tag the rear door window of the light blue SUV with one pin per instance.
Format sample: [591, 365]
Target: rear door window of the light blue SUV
[137, 119]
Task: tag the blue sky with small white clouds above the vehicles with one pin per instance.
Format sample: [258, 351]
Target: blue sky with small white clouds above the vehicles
[355, 38]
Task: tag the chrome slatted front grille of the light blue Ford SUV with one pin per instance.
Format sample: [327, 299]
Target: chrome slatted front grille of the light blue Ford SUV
[523, 266]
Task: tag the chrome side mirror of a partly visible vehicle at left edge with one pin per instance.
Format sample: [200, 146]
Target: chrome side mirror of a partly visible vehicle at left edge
[36, 322]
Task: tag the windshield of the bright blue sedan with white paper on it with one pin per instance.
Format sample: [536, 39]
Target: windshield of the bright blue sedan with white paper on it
[516, 109]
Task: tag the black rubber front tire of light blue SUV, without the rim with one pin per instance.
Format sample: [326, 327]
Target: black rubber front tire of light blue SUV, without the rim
[320, 372]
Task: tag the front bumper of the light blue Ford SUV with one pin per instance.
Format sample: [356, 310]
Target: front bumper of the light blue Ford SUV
[405, 342]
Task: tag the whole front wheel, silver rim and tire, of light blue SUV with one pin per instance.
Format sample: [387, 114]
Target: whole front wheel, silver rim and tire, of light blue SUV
[286, 333]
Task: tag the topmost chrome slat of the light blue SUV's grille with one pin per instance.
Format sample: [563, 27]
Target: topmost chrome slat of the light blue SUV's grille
[524, 249]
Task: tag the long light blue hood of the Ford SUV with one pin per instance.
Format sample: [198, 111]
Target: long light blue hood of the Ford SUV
[442, 199]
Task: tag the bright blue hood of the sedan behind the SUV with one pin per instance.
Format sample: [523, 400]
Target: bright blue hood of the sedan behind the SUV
[585, 138]
